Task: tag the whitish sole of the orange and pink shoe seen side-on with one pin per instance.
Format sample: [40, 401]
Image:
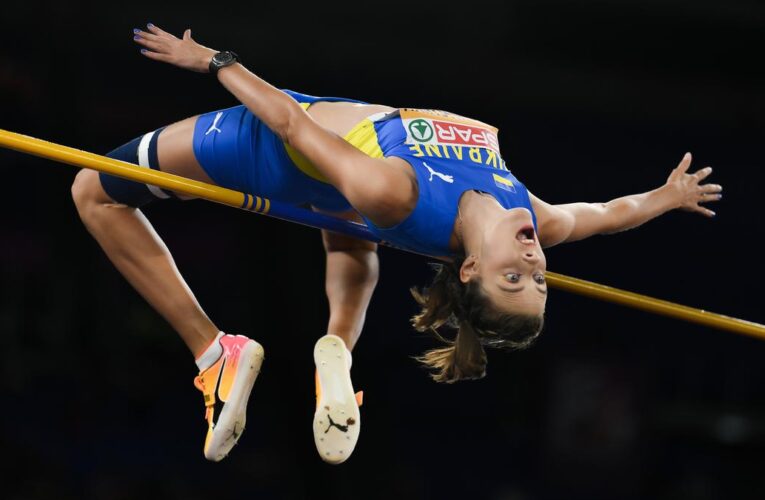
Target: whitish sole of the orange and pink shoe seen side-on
[233, 416]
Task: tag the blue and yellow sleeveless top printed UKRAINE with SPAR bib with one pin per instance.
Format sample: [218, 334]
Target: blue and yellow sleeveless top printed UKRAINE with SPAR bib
[450, 154]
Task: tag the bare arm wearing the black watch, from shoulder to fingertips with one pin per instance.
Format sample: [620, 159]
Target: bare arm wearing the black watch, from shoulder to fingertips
[370, 185]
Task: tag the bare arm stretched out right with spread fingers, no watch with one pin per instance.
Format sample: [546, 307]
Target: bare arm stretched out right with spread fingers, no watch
[576, 221]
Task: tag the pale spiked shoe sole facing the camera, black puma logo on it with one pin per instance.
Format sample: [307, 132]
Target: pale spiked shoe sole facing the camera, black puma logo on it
[336, 438]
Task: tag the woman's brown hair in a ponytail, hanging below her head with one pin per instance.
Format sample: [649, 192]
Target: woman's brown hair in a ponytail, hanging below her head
[465, 307]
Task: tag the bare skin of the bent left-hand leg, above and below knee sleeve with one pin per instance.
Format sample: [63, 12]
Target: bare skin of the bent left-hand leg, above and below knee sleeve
[137, 251]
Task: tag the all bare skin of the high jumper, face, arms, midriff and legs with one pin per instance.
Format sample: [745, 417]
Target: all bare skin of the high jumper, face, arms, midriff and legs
[511, 268]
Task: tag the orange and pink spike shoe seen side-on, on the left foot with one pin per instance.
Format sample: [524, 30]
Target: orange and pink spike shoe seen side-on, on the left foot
[226, 386]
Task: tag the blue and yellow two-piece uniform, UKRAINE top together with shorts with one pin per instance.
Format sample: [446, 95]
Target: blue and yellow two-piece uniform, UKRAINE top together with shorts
[450, 154]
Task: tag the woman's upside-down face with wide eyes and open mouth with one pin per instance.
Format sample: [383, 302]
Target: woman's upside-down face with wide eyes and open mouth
[511, 265]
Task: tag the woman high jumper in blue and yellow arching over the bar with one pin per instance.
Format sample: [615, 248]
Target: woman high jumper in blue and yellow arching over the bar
[427, 181]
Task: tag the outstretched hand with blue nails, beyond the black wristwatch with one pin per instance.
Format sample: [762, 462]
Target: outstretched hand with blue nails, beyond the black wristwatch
[182, 52]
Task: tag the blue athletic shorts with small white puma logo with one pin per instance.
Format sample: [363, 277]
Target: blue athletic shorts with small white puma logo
[238, 151]
